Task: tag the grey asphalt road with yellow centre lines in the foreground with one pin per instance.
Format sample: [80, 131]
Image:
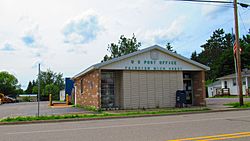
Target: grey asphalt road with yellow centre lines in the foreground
[161, 128]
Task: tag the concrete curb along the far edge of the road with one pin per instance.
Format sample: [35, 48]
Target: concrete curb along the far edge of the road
[118, 117]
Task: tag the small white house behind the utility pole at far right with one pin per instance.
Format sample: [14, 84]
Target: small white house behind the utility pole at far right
[229, 82]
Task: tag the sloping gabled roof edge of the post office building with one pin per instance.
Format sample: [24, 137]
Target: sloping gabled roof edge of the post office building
[99, 65]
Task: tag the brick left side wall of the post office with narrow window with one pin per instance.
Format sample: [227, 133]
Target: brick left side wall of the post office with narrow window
[91, 89]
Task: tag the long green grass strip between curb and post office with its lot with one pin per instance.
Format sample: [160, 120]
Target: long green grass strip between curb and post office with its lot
[104, 114]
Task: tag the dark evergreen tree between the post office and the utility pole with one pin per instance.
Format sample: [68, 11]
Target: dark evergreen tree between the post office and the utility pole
[216, 54]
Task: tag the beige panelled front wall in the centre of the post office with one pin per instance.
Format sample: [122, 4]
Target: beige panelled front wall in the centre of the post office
[150, 89]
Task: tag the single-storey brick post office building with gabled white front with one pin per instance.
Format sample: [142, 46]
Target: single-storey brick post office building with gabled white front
[147, 78]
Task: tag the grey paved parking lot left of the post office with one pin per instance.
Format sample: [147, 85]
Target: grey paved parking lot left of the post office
[30, 109]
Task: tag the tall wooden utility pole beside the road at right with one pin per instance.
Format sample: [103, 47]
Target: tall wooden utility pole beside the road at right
[238, 58]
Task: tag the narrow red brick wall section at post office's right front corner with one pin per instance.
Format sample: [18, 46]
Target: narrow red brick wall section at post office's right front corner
[199, 88]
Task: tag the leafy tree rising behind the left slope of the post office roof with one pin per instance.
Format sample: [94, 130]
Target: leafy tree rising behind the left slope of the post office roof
[123, 47]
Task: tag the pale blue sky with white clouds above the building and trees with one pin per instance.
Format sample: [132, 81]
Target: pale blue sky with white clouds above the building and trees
[68, 36]
